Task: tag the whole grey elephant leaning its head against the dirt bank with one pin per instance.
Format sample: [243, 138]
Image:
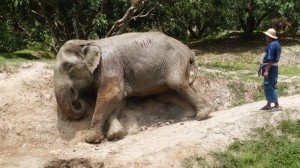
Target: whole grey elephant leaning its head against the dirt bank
[115, 68]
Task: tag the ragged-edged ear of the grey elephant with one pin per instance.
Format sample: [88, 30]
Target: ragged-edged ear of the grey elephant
[92, 56]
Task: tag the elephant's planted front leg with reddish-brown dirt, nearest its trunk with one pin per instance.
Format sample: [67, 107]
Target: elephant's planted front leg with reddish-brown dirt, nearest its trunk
[108, 98]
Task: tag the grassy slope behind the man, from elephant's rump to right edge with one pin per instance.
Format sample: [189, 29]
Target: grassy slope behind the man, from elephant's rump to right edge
[236, 60]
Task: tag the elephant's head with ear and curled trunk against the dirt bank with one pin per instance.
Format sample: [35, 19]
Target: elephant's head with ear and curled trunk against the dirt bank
[74, 69]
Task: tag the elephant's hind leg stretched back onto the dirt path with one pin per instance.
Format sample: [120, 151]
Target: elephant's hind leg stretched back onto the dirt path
[201, 105]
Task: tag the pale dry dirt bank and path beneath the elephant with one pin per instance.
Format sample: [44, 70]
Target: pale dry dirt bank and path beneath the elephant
[31, 135]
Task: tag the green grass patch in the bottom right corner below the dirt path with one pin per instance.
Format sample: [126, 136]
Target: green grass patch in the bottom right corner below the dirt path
[268, 147]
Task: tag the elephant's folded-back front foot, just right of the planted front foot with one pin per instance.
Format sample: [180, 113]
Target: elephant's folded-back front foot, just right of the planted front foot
[116, 131]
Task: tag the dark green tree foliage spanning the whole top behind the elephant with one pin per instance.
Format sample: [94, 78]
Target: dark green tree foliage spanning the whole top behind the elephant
[51, 23]
